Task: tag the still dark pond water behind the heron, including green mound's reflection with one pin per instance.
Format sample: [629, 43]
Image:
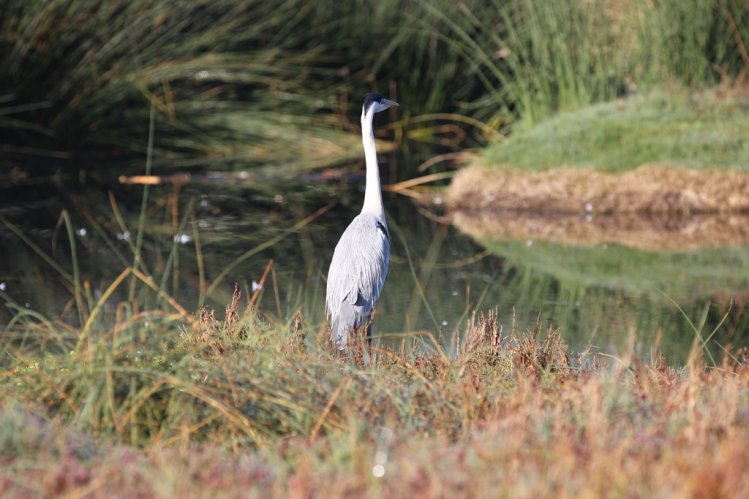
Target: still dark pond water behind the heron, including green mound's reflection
[607, 295]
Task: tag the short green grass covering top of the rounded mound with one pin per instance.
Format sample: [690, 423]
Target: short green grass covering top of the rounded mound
[666, 127]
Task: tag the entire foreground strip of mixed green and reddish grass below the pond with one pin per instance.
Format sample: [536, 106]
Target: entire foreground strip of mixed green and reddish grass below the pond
[259, 410]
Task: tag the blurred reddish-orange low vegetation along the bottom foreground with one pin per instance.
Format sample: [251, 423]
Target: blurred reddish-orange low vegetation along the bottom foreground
[643, 432]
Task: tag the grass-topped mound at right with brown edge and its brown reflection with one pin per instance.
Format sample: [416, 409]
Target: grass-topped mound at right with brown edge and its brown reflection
[648, 159]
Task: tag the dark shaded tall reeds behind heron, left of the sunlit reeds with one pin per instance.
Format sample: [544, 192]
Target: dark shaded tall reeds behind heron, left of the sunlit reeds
[233, 83]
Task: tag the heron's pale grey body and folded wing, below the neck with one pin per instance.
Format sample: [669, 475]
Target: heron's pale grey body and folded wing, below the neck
[357, 275]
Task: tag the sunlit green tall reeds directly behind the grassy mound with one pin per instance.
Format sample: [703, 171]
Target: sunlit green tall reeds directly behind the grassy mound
[538, 58]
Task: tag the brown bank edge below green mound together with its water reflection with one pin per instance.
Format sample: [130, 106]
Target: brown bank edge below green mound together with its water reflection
[654, 208]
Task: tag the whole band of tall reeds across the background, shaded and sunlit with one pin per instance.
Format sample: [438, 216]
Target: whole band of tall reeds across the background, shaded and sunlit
[252, 82]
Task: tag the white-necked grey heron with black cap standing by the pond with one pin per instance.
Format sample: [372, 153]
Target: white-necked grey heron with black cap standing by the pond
[360, 260]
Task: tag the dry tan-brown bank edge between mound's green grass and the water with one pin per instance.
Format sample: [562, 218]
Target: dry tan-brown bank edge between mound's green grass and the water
[646, 189]
